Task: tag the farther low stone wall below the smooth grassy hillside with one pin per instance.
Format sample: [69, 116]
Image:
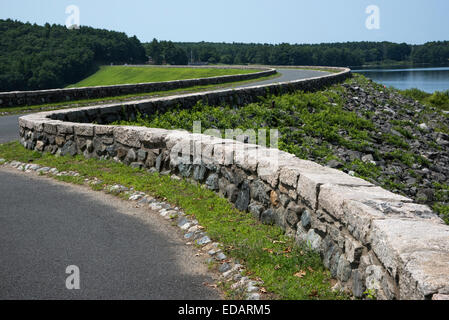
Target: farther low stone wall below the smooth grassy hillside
[20, 98]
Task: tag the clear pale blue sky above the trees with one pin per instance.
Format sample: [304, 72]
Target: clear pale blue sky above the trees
[259, 21]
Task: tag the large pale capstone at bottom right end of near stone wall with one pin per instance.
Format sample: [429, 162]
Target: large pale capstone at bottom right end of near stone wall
[419, 257]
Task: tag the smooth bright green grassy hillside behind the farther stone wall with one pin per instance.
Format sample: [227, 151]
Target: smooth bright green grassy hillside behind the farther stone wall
[110, 75]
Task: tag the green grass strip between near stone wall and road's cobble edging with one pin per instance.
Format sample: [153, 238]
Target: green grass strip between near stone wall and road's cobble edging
[266, 252]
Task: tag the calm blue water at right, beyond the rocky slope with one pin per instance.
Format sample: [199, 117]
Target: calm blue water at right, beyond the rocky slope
[426, 79]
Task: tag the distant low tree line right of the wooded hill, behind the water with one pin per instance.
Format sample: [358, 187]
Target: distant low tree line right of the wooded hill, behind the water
[326, 54]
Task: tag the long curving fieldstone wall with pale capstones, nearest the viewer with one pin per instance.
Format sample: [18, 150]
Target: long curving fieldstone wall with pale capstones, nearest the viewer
[369, 238]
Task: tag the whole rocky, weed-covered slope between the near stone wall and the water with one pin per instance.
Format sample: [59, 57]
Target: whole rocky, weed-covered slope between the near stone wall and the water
[359, 127]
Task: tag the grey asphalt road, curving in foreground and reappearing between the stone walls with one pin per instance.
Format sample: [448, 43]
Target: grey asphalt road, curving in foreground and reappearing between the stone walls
[122, 253]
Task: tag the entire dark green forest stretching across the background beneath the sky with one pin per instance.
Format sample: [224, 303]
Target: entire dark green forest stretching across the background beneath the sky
[34, 57]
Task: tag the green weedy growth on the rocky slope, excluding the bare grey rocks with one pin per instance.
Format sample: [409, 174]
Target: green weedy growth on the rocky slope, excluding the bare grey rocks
[313, 125]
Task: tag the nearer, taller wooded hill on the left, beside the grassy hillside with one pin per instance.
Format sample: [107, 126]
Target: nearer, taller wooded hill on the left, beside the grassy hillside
[34, 57]
